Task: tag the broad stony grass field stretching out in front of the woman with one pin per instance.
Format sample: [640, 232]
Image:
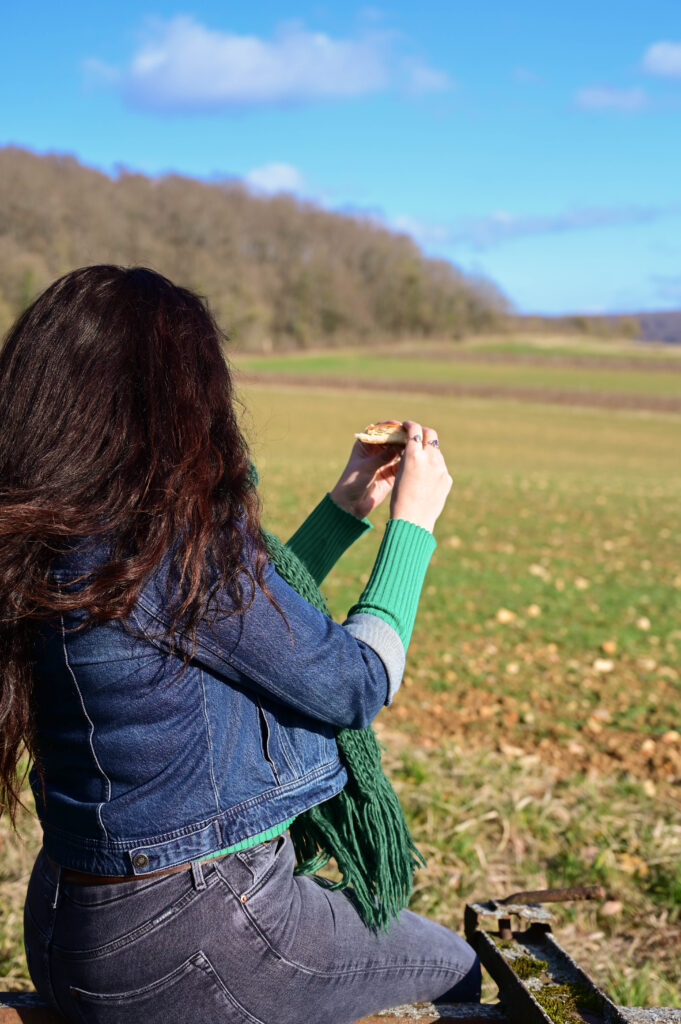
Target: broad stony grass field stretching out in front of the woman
[535, 740]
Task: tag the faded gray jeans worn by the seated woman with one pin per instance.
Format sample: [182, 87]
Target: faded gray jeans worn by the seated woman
[237, 941]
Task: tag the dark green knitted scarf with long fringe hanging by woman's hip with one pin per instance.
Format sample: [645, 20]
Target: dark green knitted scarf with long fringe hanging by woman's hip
[363, 828]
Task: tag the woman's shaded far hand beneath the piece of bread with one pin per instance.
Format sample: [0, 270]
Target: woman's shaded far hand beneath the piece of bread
[367, 480]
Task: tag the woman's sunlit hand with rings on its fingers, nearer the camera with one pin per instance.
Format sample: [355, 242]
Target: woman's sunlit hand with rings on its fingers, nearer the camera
[422, 482]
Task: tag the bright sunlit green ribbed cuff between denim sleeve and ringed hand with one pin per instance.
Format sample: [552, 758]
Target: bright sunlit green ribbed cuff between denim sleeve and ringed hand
[395, 585]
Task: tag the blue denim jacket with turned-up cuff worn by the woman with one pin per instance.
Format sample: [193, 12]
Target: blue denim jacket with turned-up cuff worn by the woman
[148, 764]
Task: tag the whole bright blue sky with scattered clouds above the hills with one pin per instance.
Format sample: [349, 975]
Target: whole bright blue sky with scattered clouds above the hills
[537, 144]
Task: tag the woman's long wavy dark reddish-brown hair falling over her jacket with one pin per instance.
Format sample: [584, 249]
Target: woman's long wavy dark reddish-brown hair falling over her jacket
[117, 420]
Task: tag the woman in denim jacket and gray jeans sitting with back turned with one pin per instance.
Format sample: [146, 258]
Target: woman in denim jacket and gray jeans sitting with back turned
[179, 699]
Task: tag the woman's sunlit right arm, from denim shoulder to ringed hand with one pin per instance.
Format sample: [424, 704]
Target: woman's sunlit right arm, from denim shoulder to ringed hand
[339, 674]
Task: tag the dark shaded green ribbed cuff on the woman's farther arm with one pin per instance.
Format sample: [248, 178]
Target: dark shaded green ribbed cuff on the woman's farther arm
[325, 535]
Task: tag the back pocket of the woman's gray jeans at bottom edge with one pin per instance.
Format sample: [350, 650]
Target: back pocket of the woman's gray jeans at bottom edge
[193, 992]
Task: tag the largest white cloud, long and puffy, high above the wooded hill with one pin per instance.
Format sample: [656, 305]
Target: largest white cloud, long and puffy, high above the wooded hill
[186, 67]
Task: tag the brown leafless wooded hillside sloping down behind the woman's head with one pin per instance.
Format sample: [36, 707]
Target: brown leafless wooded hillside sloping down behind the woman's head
[279, 273]
